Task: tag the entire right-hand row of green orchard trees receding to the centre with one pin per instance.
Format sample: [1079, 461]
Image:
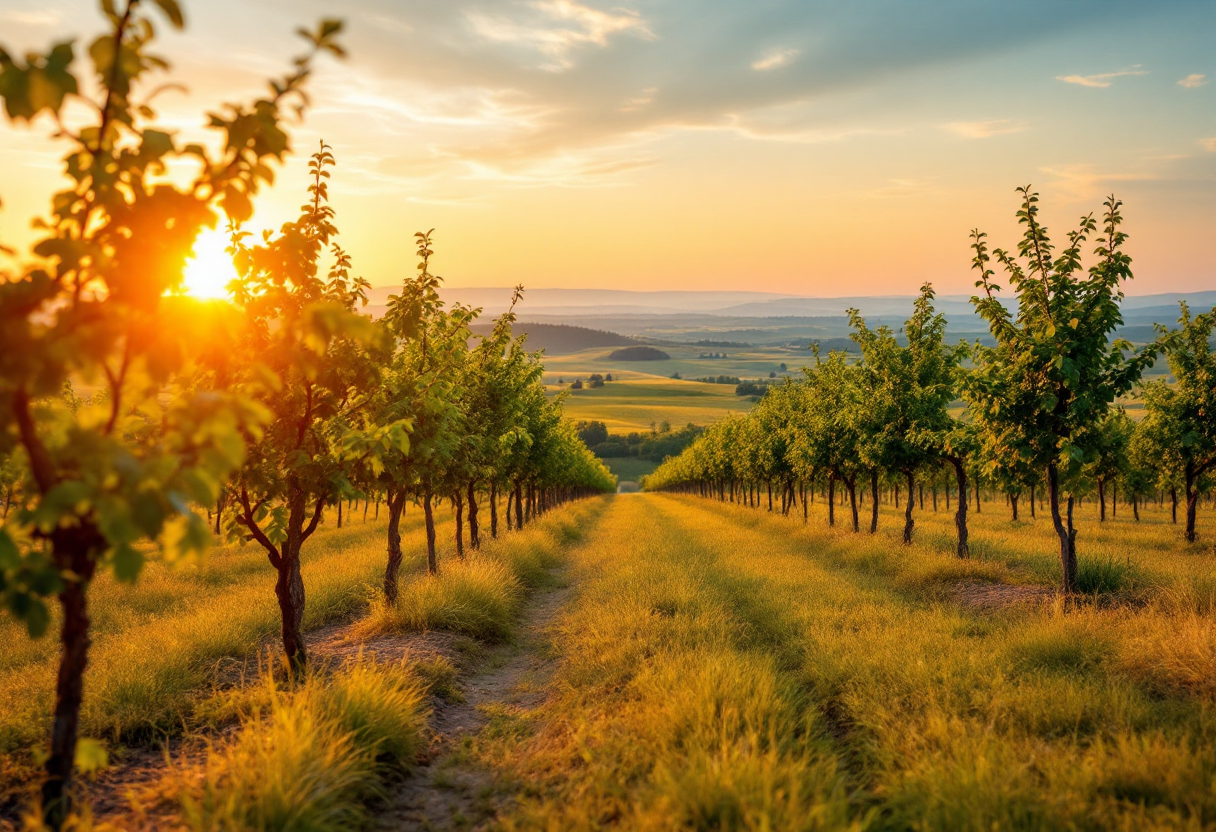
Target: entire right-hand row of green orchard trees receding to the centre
[1038, 408]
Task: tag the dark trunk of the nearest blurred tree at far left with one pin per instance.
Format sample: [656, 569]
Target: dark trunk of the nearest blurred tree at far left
[75, 552]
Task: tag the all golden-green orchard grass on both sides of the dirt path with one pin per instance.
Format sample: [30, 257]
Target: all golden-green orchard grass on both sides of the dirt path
[712, 668]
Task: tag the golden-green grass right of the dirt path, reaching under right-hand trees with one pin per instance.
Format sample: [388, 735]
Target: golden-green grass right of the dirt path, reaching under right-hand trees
[724, 668]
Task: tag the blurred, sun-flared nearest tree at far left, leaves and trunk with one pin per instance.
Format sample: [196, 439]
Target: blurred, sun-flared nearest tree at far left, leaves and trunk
[122, 465]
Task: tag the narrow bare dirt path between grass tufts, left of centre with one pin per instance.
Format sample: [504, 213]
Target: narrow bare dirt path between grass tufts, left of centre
[447, 792]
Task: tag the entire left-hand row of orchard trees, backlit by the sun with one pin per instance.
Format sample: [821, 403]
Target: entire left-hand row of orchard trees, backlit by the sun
[272, 409]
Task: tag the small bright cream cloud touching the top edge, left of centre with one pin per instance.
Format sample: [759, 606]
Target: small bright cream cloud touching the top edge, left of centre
[556, 29]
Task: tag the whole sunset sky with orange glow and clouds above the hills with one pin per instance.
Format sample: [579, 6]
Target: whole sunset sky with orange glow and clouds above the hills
[802, 147]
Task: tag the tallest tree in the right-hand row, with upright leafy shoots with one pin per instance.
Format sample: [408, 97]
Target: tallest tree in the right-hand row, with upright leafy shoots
[1055, 372]
